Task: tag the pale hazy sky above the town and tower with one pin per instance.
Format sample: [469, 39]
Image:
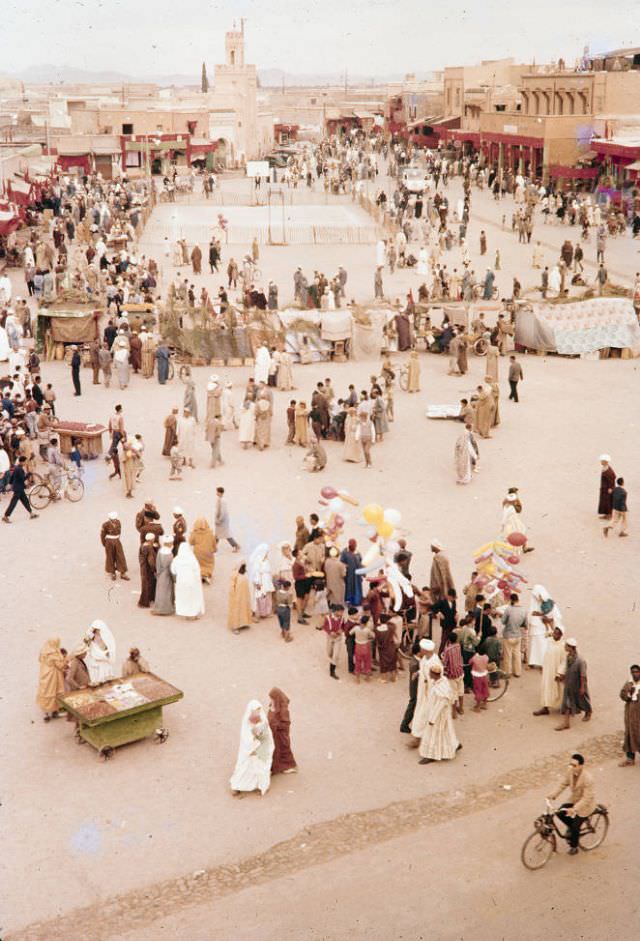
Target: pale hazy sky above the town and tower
[369, 37]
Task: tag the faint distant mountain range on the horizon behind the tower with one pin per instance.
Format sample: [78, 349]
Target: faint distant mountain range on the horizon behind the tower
[269, 78]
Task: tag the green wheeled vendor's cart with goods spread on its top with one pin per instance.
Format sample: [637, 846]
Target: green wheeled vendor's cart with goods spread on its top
[120, 711]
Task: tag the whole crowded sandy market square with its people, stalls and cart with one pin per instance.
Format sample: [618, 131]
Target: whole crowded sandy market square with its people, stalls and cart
[312, 540]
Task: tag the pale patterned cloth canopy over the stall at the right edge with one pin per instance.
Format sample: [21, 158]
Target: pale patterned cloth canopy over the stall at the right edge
[579, 328]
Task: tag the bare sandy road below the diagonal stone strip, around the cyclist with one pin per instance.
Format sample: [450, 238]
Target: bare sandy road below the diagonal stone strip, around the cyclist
[453, 882]
